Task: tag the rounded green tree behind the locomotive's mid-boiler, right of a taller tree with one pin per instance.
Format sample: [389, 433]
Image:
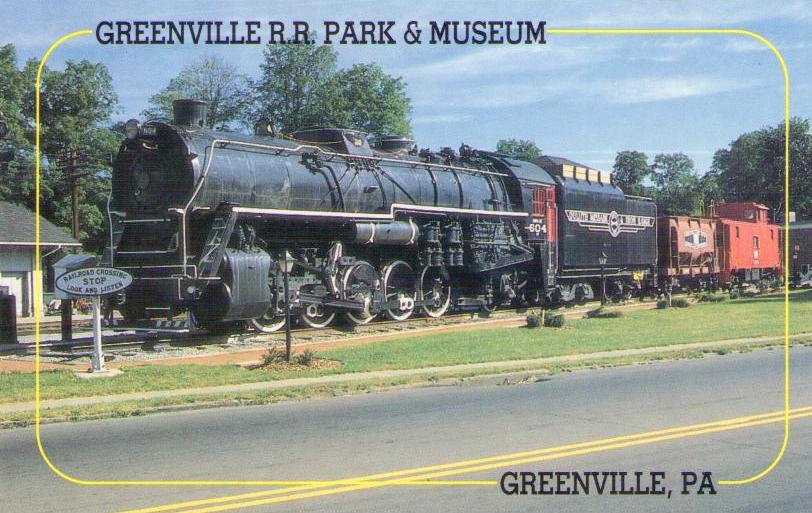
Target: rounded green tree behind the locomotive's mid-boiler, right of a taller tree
[365, 98]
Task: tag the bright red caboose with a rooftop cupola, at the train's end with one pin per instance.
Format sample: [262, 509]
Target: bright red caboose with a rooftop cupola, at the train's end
[748, 244]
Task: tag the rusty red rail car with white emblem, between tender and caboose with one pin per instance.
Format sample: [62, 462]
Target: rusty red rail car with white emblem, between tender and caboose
[687, 251]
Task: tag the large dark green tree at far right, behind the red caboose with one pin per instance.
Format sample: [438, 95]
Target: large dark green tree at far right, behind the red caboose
[752, 168]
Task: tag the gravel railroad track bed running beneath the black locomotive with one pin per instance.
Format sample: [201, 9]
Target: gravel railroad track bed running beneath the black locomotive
[302, 336]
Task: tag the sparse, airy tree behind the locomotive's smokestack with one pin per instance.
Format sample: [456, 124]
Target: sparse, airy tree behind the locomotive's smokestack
[213, 80]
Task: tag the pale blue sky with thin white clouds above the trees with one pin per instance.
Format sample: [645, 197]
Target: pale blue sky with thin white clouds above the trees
[583, 97]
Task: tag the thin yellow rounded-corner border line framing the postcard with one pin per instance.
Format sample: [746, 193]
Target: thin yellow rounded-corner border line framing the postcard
[370, 483]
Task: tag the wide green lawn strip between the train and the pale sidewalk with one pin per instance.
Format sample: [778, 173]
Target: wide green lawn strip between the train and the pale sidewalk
[700, 323]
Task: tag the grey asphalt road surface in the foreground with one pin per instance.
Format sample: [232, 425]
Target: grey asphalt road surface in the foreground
[361, 435]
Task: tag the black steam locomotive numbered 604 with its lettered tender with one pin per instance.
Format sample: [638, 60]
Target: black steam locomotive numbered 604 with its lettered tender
[209, 222]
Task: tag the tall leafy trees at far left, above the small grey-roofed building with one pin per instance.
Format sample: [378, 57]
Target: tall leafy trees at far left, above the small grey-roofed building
[76, 104]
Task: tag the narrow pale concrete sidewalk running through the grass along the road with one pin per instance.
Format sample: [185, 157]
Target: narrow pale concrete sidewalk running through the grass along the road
[503, 366]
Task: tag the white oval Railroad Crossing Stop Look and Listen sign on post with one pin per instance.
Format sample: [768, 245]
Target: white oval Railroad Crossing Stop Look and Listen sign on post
[94, 282]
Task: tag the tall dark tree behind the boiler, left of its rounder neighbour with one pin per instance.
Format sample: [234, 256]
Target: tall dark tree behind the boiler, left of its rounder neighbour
[291, 75]
